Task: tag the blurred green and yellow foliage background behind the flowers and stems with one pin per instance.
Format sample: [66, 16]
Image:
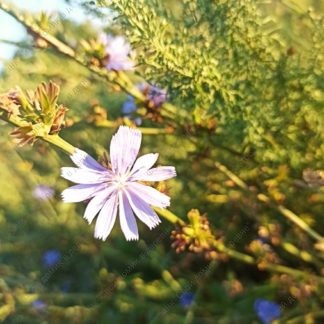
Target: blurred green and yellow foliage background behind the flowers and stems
[269, 113]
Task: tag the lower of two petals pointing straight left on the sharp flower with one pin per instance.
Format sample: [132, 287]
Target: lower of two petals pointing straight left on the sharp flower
[81, 192]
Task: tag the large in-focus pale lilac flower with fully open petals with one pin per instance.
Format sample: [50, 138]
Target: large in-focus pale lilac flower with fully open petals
[118, 187]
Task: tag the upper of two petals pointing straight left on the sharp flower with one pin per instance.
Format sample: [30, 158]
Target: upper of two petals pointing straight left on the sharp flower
[85, 176]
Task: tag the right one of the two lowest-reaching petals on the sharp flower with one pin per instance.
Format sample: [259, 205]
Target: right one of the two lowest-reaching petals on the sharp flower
[127, 218]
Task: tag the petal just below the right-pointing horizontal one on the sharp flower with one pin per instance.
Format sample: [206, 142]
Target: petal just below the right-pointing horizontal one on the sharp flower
[150, 195]
